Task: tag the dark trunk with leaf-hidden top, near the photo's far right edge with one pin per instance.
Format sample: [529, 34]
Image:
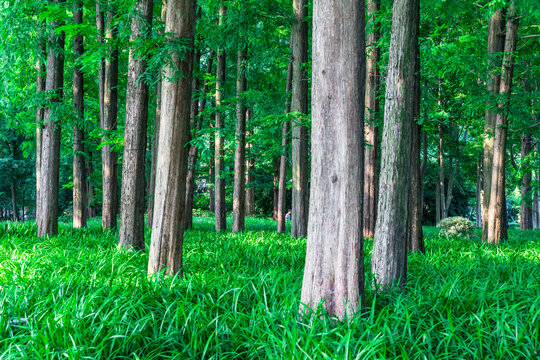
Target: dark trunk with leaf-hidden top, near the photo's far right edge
[526, 215]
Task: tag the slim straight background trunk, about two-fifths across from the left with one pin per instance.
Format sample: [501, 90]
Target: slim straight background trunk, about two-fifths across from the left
[219, 207]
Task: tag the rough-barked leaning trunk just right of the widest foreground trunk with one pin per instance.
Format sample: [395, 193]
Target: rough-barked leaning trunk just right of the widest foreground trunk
[389, 257]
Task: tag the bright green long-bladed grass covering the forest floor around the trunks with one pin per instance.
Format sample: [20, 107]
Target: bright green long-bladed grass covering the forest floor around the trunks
[76, 296]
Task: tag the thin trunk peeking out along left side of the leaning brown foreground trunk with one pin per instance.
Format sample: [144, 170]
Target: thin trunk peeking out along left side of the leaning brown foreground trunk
[155, 137]
